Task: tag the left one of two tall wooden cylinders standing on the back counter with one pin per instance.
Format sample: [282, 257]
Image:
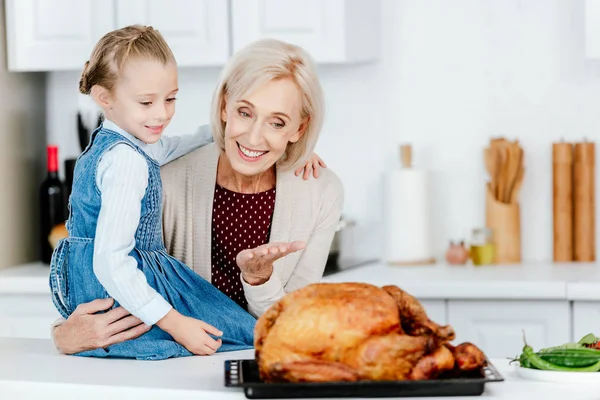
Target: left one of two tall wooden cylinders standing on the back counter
[562, 201]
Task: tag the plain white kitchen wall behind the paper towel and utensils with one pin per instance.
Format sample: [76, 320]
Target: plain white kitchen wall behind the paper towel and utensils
[453, 73]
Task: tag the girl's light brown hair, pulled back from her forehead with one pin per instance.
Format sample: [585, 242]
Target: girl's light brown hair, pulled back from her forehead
[115, 48]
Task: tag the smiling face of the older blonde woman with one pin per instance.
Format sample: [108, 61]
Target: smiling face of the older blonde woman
[259, 126]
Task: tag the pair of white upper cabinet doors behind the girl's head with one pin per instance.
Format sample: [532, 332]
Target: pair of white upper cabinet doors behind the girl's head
[52, 35]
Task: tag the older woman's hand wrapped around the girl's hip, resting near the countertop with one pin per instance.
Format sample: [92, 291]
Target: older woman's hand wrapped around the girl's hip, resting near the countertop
[86, 330]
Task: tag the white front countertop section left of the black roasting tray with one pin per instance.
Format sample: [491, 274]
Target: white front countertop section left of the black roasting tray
[32, 368]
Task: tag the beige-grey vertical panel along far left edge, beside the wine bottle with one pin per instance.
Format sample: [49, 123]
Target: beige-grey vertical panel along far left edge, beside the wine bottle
[21, 159]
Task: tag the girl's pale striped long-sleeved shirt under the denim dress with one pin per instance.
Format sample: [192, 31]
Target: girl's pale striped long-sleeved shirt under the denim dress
[122, 179]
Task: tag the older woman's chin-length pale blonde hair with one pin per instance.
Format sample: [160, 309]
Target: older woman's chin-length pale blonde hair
[261, 62]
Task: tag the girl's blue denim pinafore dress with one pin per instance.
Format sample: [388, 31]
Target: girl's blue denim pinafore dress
[73, 282]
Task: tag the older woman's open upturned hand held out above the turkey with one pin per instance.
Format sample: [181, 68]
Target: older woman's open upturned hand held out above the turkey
[257, 264]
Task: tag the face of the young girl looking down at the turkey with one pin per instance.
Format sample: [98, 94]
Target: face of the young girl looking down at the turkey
[143, 99]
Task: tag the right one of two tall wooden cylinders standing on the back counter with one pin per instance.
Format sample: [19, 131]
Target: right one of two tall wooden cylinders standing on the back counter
[584, 198]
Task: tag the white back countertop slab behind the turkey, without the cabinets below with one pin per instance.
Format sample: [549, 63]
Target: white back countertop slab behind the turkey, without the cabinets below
[540, 281]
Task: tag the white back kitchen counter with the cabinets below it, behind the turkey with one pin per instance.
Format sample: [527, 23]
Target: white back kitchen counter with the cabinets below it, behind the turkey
[489, 306]
